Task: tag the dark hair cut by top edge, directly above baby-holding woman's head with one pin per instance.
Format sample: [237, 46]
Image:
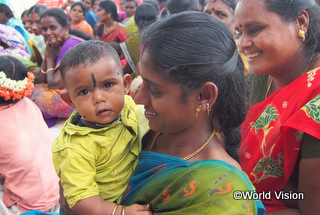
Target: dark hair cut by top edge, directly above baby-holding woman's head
[177, 6]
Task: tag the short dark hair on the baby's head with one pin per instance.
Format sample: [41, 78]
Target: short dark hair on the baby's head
[87, 53]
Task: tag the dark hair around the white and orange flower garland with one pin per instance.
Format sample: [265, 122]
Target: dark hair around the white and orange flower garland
[14, 69]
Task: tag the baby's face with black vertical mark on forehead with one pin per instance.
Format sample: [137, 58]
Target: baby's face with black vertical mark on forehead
[97, 90]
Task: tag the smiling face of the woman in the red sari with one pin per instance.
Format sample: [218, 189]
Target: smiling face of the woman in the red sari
[271, 44]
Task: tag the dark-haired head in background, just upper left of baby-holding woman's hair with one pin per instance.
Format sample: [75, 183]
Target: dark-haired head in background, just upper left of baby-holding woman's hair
[145, 15]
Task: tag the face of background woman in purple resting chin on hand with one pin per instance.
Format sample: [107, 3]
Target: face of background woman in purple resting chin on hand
[53, 31]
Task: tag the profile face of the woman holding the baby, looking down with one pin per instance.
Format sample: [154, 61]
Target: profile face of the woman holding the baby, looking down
[162, 101]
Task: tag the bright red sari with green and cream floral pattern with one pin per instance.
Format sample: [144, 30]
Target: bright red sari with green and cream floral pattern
[272, 133]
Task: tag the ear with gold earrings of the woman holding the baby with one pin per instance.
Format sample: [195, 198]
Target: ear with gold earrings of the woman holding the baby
[208, 95]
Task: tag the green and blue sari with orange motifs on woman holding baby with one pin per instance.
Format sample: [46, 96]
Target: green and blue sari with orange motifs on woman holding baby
[174, 186]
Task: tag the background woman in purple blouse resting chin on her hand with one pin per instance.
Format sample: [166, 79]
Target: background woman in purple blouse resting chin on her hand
[55, 29]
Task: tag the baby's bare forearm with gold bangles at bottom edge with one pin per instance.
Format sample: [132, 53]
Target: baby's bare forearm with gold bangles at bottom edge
[95, 205]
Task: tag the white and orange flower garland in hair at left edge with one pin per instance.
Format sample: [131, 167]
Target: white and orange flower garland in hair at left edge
[12, 89]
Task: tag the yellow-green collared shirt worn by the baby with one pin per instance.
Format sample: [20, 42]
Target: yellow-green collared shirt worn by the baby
[101, 161]
